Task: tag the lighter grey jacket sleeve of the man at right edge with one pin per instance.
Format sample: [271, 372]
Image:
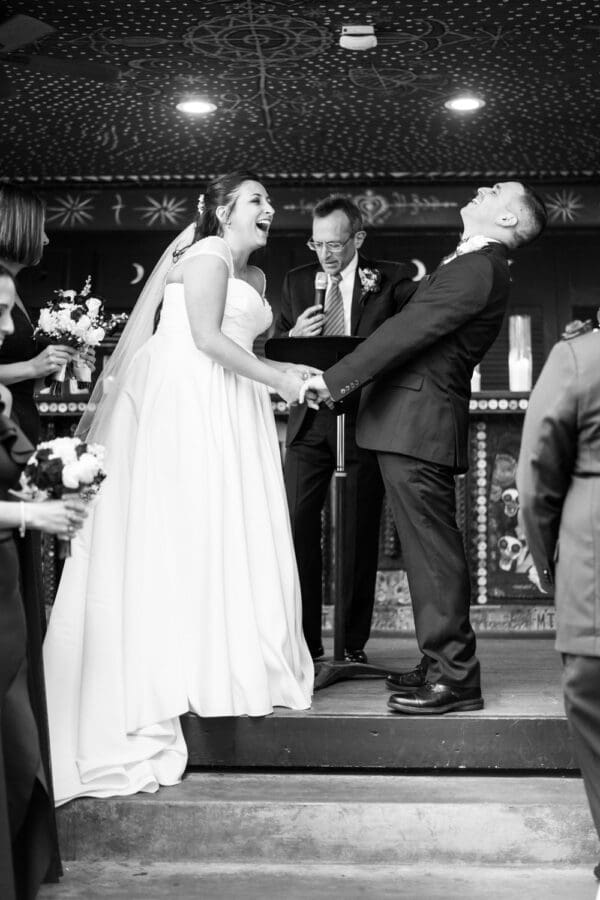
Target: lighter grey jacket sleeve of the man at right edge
[547, 456]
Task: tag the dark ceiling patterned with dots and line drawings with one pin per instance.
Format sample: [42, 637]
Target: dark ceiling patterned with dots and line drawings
[94, 100]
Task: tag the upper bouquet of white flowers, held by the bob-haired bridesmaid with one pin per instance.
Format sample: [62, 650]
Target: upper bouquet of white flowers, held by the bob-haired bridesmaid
[76, 320]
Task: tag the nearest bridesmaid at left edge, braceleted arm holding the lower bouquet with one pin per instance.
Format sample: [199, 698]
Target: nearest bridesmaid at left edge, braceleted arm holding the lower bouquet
[28, 849]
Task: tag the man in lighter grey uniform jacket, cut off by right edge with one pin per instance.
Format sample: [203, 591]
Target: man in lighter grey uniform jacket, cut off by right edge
[558, 479]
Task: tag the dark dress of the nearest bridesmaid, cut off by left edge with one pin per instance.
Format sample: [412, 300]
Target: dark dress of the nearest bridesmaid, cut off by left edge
[27, 836]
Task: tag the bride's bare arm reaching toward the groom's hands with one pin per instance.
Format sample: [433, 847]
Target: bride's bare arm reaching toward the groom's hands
[205, 288]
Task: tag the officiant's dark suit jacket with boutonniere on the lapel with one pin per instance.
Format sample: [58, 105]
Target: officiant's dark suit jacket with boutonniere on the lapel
[368, 310]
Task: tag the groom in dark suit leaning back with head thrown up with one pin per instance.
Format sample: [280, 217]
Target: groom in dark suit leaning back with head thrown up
[414, 412]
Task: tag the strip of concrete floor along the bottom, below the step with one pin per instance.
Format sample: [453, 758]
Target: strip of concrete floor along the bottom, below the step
[168, 882]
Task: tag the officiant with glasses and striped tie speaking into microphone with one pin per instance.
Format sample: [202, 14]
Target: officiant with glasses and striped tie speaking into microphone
[361, 294]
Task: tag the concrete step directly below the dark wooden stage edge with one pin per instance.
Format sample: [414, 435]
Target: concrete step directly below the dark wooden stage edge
[368, 819]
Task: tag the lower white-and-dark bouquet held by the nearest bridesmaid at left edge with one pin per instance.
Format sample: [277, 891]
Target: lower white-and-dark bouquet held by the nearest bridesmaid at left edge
[62, 466]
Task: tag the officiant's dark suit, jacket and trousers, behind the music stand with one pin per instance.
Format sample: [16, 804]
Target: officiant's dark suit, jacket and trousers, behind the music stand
[310, 460]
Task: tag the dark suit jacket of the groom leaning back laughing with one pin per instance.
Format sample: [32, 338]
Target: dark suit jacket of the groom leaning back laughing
[418, 364]
